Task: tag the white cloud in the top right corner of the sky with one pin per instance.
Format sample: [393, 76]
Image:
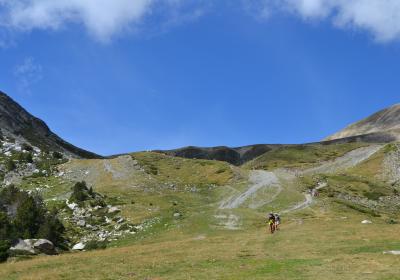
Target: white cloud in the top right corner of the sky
[379, 17]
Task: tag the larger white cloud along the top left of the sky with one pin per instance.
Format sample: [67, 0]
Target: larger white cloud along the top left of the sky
[102, 18]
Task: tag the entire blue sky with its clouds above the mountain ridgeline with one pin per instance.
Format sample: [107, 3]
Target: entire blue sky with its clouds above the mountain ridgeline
[172, 73]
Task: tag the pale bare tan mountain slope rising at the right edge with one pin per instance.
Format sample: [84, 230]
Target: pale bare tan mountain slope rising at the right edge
[385, 122]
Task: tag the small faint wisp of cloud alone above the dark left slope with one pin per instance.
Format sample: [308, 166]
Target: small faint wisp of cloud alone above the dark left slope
[27, 74]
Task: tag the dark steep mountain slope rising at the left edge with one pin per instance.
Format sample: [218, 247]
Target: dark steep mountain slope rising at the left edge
[17, 123]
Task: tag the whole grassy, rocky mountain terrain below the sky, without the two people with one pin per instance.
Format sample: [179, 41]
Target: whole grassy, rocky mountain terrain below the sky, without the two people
[200, 213]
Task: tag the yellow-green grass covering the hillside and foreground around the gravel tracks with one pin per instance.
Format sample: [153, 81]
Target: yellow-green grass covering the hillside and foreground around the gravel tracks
[326, 241]
